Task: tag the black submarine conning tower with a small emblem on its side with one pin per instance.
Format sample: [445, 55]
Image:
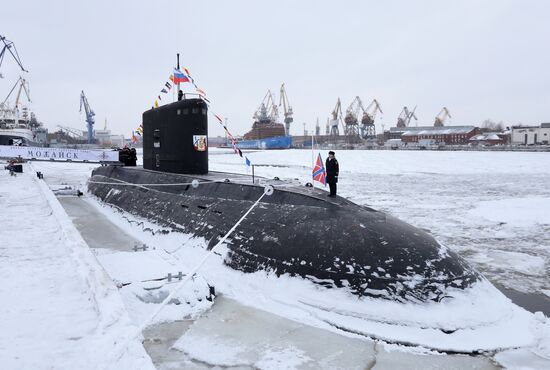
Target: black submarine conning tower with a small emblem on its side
[175, 137]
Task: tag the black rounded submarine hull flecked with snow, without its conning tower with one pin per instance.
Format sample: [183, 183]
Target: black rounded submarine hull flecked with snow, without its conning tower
[296, 231]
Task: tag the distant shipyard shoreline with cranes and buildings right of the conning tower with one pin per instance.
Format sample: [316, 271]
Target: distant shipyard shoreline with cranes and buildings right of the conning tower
[355, 128]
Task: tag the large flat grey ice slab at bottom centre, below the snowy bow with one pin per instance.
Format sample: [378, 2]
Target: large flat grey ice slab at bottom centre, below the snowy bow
[242, 336]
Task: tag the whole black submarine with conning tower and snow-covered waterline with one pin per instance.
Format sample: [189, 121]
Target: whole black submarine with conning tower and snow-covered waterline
[297, 253]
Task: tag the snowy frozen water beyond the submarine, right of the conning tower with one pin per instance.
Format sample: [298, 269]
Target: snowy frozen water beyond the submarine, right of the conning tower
[437, 191]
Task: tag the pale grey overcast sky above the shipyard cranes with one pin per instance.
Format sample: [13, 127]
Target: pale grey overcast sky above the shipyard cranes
[481, 59]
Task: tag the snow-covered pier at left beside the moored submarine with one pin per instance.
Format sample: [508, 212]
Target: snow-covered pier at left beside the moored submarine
[59, 310]
